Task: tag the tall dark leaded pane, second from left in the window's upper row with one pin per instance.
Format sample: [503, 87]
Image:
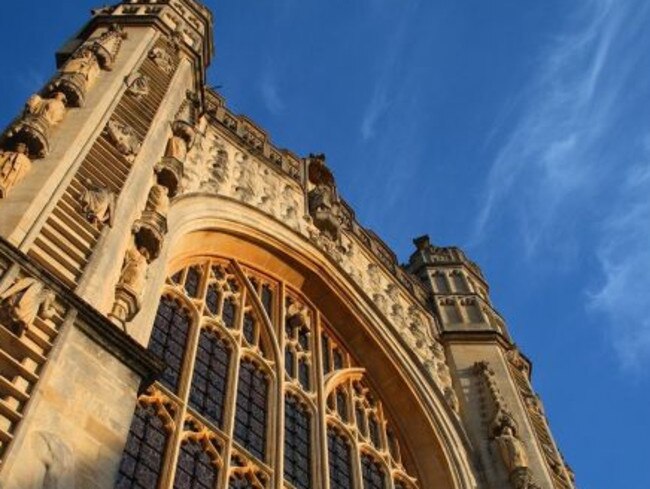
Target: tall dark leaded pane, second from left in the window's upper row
[210, 379]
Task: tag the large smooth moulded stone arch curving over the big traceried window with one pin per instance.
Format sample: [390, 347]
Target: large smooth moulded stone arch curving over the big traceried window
[434, 442]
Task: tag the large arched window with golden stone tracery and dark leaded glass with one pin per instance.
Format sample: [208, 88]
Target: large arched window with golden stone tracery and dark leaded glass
[257, 392]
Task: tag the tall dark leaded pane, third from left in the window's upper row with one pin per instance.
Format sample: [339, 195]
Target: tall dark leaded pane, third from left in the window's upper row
[250, 416]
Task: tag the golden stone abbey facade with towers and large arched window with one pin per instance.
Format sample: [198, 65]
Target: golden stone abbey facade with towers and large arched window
[185, 305]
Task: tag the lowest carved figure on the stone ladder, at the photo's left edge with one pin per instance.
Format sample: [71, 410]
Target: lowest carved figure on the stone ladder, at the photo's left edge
[21, 302]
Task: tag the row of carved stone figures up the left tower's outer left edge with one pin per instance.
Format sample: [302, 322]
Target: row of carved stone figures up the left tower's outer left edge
[29, 136]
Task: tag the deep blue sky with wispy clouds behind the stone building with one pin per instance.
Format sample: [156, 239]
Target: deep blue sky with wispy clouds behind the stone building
[519, 130]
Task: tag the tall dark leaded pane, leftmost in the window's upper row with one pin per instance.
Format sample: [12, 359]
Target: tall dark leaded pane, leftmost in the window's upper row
[168, 339]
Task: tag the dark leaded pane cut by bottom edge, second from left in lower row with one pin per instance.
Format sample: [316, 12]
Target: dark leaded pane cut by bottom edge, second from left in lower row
[195, 469]
